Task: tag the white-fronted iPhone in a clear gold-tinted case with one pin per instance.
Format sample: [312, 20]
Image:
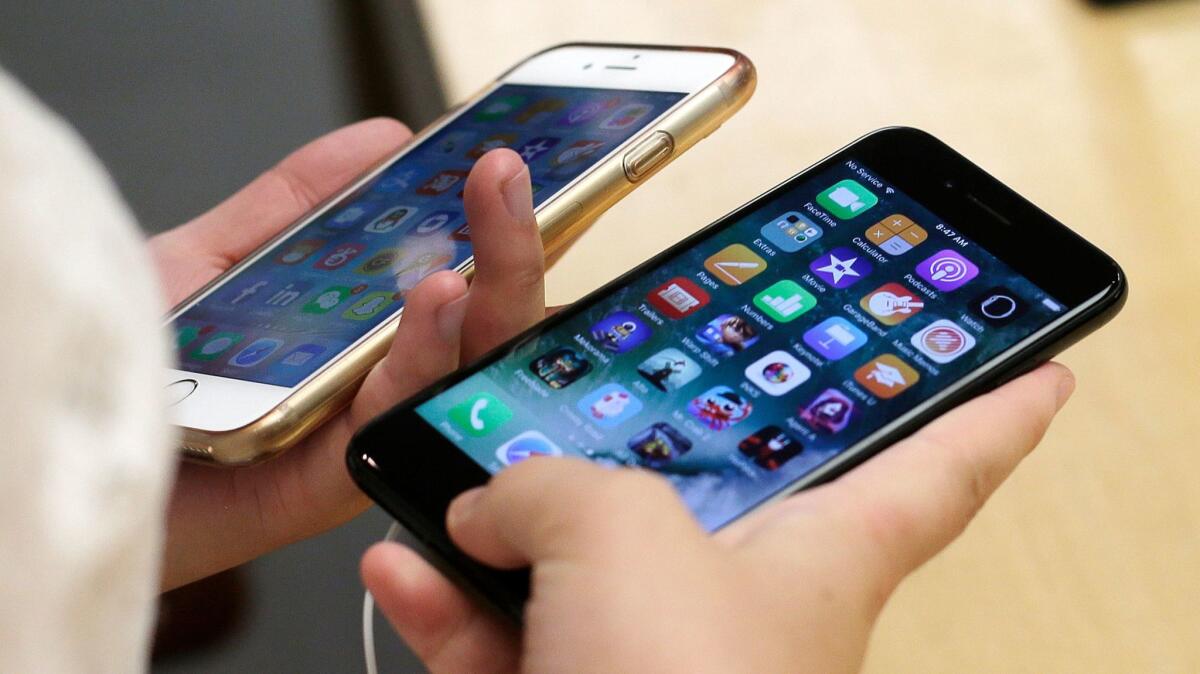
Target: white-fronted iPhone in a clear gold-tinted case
[280, 344]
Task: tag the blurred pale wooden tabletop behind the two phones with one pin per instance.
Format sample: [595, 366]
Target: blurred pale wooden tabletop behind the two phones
[1089, 559]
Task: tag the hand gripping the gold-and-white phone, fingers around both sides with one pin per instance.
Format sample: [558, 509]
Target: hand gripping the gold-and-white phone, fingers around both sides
[224, 517]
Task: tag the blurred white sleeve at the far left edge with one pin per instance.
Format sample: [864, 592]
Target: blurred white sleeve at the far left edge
[86, 453]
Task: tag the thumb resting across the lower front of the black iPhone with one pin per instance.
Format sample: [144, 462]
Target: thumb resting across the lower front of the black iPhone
[551, 509]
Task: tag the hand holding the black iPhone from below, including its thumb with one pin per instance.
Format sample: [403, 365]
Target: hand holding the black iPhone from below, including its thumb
[626, 581]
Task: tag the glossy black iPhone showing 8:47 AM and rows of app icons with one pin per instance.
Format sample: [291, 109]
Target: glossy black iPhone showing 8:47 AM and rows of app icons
[771, 352]
